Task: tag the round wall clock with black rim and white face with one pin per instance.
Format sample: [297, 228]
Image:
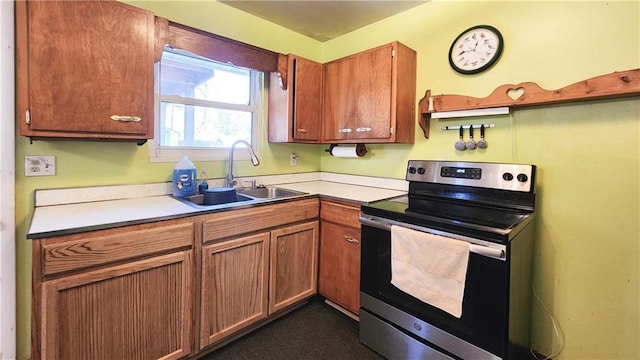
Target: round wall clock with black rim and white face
[476, 49]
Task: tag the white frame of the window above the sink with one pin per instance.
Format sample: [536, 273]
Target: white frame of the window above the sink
[159, 153]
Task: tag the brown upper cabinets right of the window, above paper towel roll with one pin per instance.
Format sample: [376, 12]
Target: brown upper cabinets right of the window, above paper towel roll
[368, 97]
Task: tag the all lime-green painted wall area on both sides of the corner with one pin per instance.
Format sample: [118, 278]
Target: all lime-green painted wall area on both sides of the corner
[587, 265]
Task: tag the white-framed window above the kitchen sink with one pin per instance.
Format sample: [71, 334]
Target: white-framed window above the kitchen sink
[203, 107]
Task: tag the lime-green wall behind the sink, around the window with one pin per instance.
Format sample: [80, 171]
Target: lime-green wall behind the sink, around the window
[83, 163]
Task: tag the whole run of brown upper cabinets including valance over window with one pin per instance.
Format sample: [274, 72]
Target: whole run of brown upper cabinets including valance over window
[85, 70]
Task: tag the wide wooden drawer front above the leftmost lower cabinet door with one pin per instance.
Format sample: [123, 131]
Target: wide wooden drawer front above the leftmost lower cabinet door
[79, 251]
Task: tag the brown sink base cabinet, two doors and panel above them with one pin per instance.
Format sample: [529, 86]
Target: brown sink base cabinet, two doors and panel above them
[256, 261]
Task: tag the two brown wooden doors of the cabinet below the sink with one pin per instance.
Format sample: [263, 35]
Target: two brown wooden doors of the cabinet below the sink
[245, 280]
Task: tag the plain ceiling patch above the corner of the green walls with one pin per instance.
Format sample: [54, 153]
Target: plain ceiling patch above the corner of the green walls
[323, 20]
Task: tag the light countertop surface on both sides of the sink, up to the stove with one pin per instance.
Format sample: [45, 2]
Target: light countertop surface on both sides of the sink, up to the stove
[60, 219]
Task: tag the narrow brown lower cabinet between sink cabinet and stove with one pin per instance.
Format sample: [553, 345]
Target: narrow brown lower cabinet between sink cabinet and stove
[339, 275]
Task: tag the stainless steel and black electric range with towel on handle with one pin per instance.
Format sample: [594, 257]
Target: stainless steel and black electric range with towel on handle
[487, 208]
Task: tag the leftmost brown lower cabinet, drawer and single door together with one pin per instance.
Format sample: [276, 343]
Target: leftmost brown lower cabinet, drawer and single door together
[123, 293]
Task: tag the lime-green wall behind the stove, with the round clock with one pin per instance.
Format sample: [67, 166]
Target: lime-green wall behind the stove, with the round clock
[586, 267]
